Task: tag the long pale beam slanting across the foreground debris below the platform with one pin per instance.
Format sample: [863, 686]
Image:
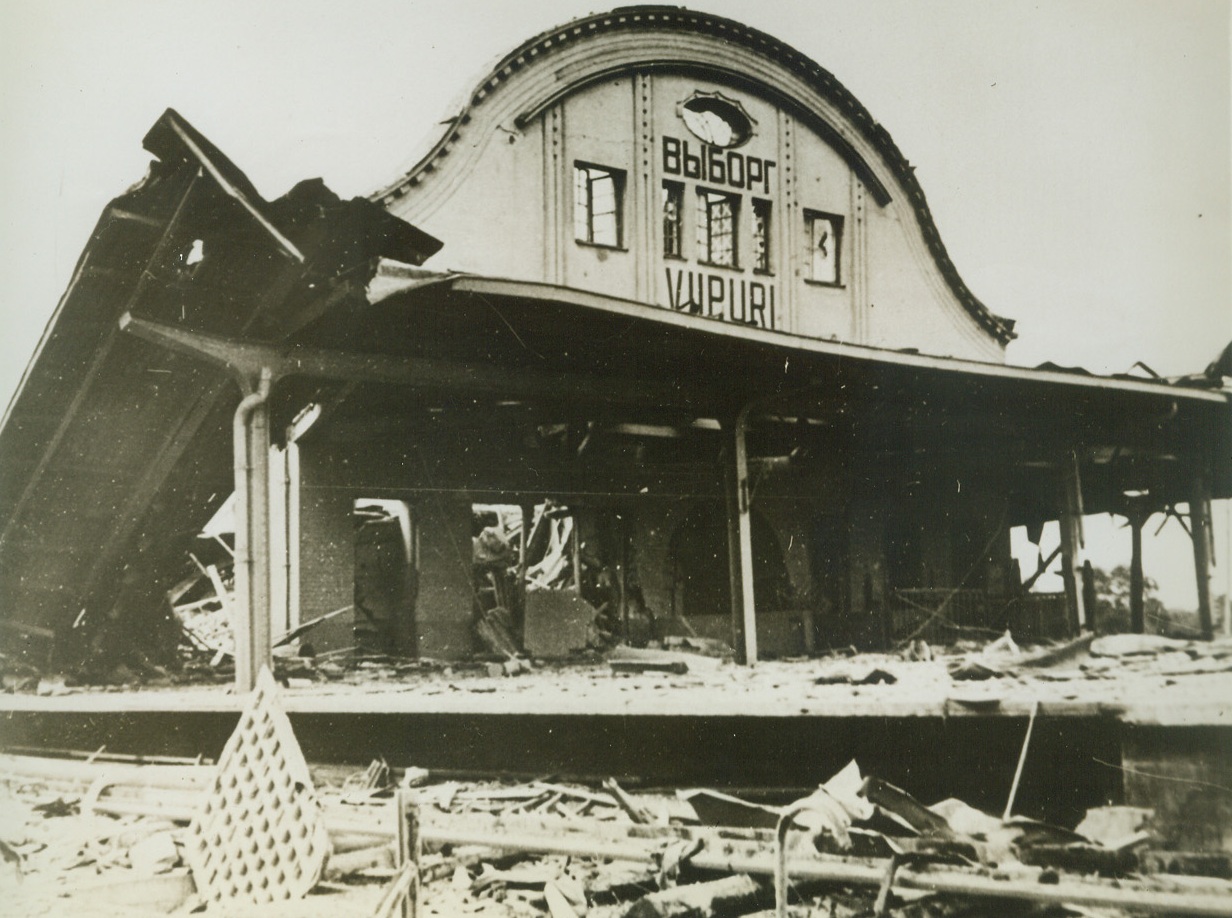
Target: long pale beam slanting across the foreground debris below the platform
[172, 792]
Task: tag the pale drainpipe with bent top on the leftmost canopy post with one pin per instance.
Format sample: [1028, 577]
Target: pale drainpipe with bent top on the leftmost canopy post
[251, 612]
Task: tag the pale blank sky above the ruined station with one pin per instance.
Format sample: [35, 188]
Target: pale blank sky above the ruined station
[1075, 153]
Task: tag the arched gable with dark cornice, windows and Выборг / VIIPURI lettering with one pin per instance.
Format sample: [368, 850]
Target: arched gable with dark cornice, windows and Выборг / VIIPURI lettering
[688, 162]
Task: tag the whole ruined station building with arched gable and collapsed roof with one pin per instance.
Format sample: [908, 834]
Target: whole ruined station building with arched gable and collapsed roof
[693, 364]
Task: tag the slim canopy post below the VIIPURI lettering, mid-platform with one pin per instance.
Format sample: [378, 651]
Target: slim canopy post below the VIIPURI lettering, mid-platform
[740, 542]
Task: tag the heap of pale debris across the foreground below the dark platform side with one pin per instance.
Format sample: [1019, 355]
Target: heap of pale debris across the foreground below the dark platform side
[107, 839]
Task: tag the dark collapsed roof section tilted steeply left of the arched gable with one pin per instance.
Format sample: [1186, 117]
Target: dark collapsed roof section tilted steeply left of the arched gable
[111, 444]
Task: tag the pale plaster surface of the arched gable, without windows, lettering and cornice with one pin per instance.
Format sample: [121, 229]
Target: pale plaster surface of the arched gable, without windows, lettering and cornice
[503, 200]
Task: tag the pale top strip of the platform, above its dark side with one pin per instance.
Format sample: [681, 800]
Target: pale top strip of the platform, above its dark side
[714, 689]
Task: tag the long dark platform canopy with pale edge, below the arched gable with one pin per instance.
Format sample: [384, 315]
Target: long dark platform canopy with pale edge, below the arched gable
[575, 347]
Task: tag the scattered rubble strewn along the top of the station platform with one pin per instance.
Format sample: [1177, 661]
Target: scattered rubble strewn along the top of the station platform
[206, 660]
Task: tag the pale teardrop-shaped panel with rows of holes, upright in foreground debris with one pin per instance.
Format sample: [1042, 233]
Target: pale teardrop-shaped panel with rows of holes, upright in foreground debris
[261, 835]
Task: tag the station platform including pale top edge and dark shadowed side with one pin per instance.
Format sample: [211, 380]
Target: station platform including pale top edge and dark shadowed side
[771, 728]
